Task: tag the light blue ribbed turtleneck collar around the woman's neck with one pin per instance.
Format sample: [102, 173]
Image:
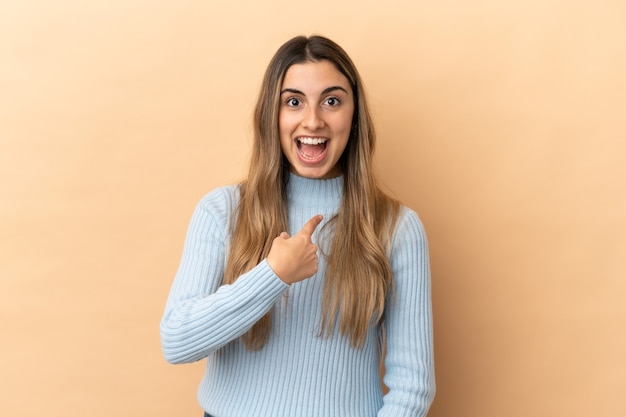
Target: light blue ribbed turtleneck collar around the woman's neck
[307, 191]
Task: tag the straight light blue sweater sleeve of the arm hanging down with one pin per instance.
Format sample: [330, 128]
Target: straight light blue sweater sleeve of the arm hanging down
[409, 359]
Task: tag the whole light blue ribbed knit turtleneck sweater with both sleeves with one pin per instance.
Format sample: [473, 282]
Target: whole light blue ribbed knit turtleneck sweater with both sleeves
[297, 373]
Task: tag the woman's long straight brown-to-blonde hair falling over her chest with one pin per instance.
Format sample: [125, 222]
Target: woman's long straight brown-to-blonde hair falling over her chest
[358, 276]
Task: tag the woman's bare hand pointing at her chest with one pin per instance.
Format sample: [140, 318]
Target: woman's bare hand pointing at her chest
[294, 258]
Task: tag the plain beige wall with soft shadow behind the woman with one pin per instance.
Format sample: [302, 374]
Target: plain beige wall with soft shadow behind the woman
[503, 123]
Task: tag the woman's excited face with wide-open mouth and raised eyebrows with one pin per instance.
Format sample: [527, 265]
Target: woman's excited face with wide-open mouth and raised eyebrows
[315, 118]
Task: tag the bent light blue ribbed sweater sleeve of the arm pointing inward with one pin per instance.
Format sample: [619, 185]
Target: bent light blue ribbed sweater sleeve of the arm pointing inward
[201, 314]
